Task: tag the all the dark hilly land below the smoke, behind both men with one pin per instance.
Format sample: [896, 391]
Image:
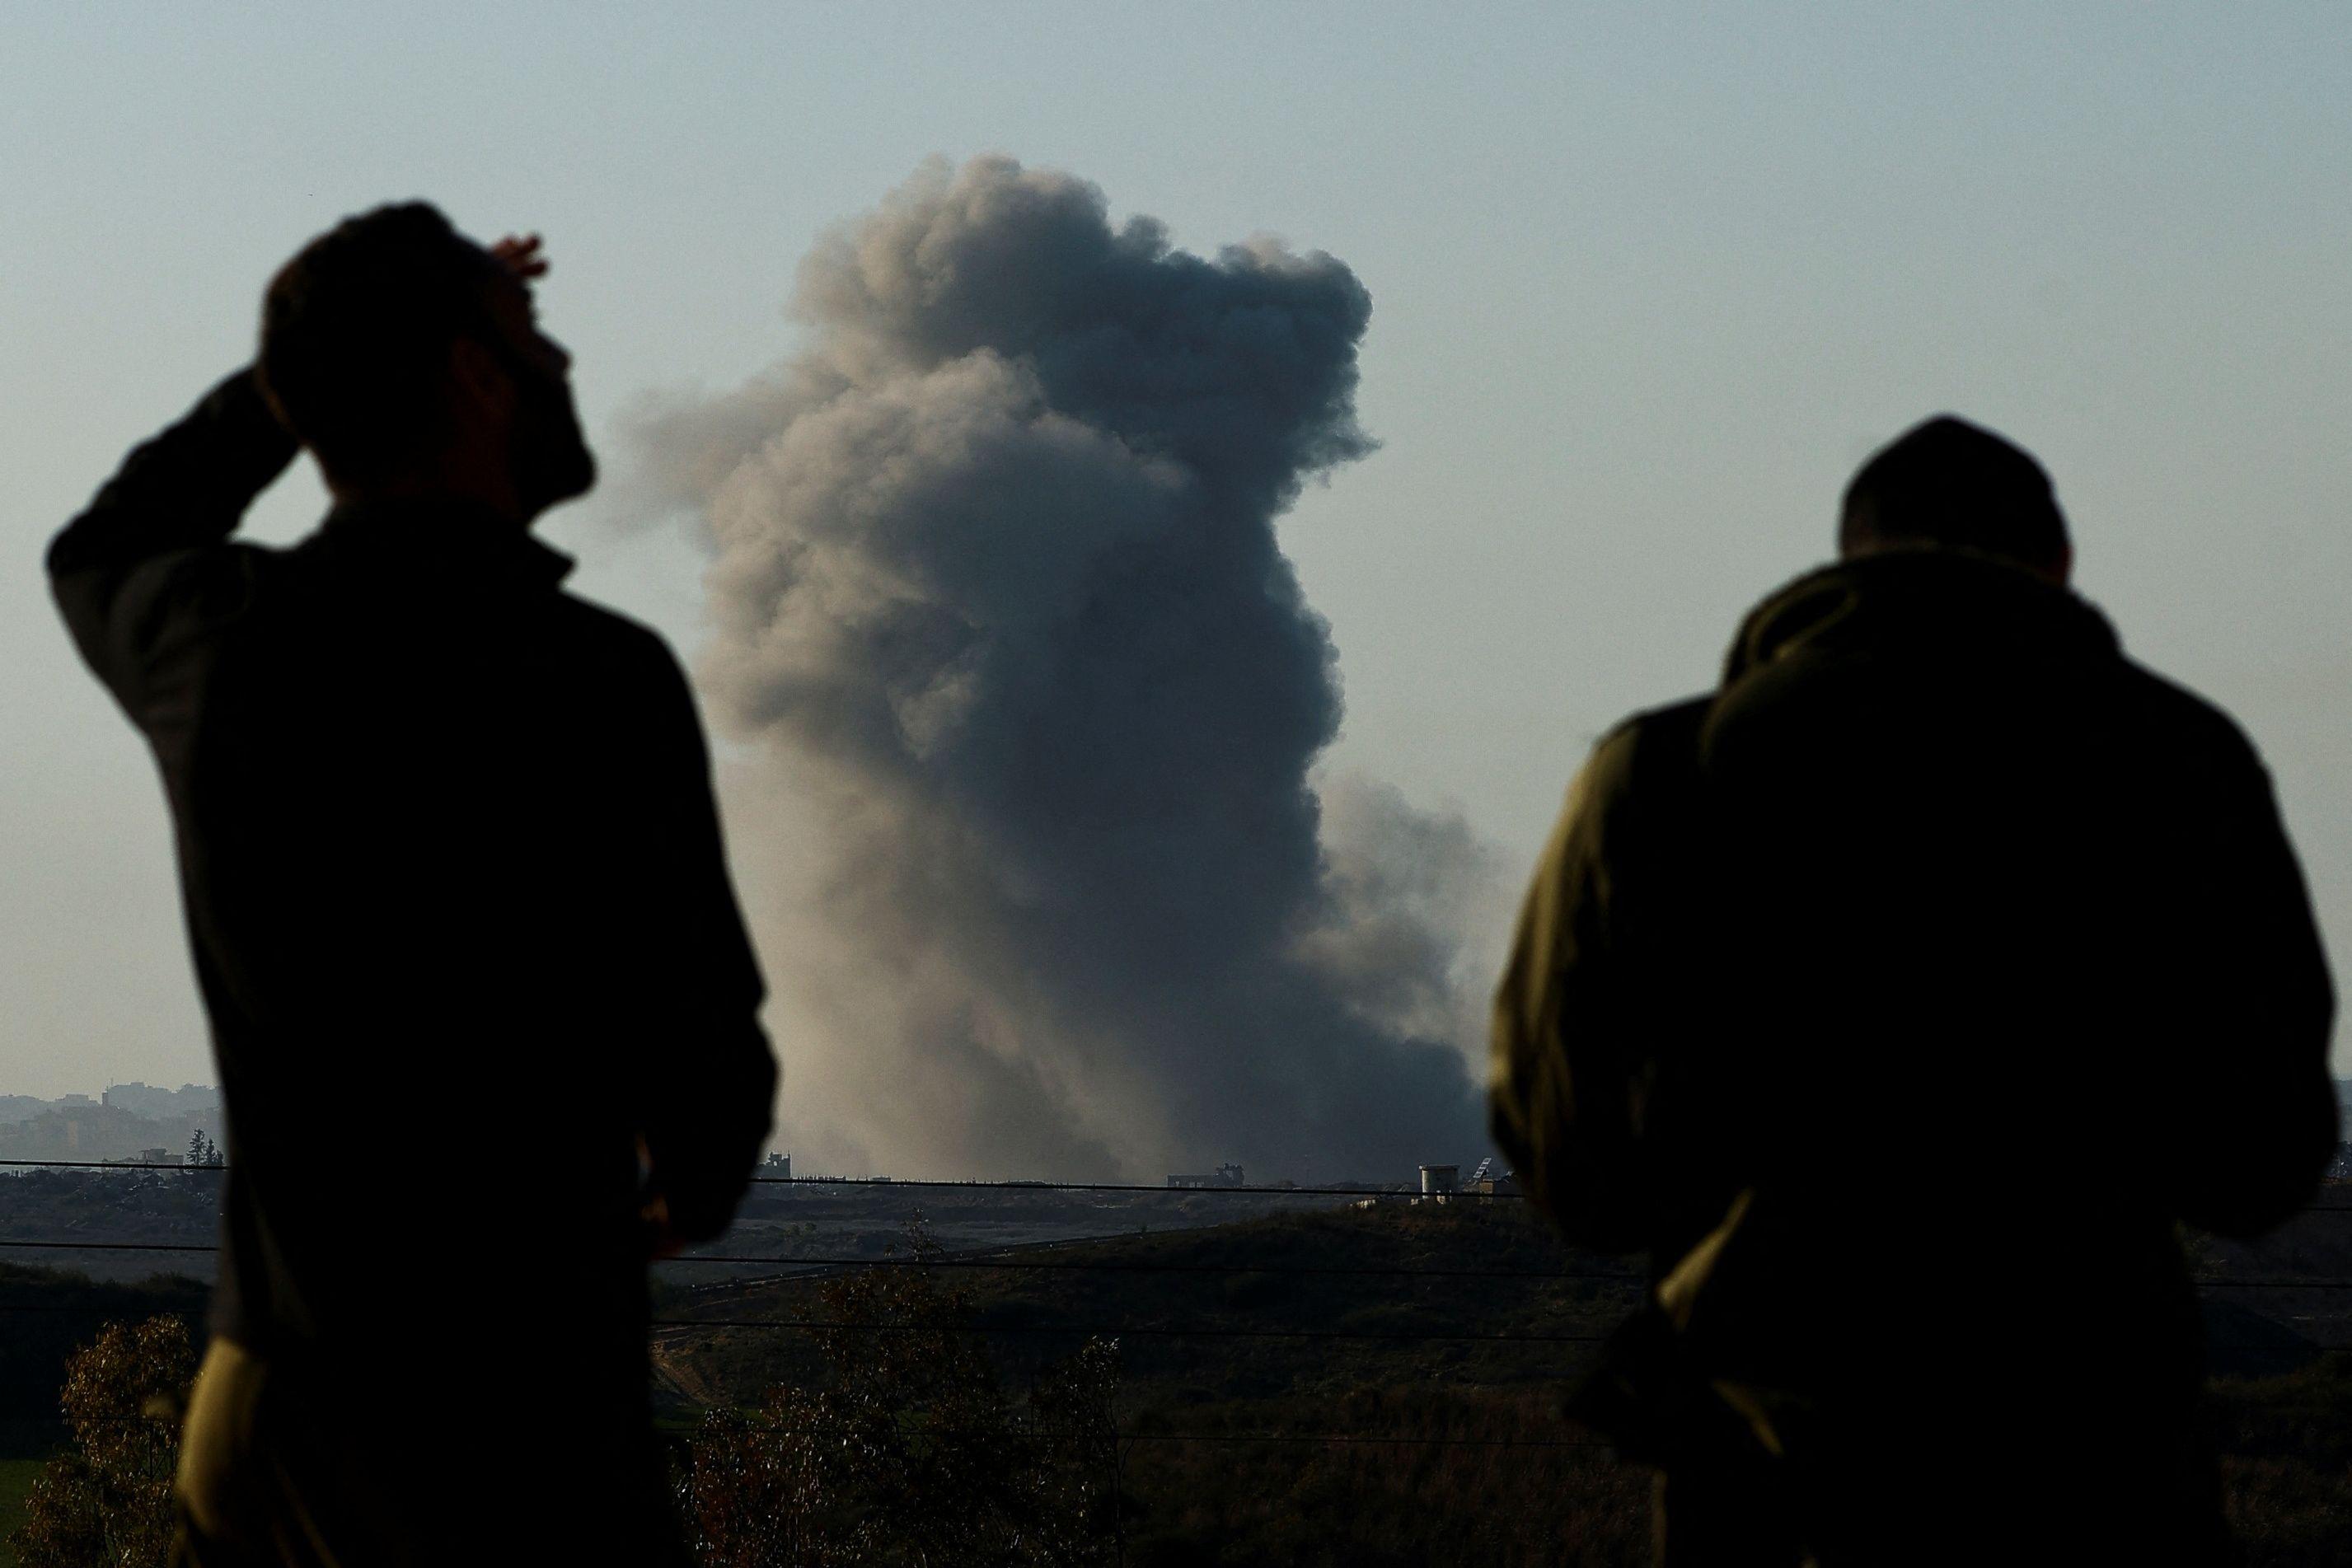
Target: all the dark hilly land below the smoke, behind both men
[1250, 1332]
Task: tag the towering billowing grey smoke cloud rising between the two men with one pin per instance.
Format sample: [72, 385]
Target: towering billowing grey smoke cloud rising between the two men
[1003, 622]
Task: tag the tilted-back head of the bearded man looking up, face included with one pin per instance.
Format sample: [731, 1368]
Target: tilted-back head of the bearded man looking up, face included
[406, 356]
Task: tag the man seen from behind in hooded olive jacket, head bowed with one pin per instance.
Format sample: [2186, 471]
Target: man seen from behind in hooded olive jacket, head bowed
[1899, 1000]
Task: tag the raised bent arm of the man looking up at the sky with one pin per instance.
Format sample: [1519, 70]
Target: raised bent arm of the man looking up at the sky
[140, 565]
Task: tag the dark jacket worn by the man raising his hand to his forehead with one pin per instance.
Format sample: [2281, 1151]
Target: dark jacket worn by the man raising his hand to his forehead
[460, 916]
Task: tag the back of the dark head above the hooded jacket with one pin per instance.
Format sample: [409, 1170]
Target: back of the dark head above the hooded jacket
[1956, 485]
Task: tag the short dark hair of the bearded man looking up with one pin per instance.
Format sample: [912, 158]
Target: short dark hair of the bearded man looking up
[356, 335]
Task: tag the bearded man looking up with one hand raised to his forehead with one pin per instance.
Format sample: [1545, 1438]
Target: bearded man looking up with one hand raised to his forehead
[479, 989]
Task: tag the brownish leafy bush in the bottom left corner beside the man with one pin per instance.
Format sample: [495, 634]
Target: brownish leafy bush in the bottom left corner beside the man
[109, 1501]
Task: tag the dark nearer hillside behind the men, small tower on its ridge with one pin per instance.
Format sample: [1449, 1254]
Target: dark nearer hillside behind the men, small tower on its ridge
[1443, 1341]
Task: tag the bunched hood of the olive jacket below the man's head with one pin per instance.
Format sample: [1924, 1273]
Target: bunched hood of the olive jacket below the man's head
[1925, 603]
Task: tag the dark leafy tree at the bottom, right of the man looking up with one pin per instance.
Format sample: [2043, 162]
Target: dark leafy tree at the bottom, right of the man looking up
[914, 1454]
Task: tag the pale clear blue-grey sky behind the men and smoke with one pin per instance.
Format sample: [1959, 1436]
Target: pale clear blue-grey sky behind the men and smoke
[1648, 283]
